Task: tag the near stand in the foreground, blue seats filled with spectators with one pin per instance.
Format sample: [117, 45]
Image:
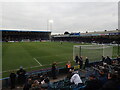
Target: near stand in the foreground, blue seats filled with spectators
[99, 76]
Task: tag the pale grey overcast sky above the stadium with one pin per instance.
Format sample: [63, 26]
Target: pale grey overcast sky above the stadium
[66, 16]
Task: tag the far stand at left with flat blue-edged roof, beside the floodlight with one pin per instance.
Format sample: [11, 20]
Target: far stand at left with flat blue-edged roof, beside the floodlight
[25, 35]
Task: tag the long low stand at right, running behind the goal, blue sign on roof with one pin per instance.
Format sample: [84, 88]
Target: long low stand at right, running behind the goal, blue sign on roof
[112, 36]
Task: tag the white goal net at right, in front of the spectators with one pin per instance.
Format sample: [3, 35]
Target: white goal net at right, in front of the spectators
[93, 52]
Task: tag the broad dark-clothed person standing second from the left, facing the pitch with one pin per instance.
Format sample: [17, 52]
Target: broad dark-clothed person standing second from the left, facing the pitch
[21, 76]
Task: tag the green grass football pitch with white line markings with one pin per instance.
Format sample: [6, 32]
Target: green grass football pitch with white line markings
[36, 55]
